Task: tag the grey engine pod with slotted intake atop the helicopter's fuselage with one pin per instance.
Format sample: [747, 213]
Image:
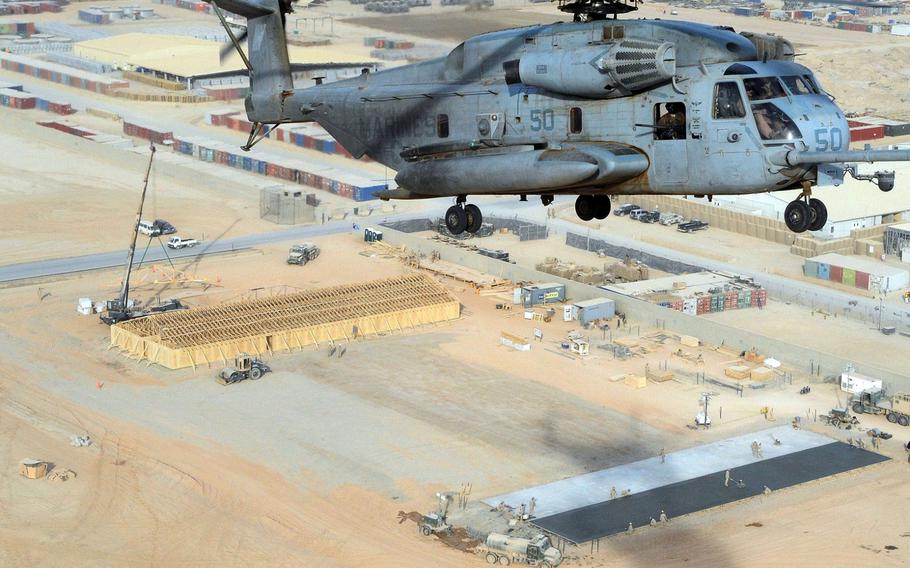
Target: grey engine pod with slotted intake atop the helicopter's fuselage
[598, 72]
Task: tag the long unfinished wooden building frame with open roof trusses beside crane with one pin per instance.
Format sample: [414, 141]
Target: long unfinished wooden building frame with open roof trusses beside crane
[264, 326]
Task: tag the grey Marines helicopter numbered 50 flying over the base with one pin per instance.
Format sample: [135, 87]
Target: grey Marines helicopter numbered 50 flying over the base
[594, 107]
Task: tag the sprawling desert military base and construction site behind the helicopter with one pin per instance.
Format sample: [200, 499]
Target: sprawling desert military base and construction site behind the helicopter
[244, 358]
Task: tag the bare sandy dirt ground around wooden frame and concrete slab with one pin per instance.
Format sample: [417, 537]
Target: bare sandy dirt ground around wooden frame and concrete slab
[313, 463]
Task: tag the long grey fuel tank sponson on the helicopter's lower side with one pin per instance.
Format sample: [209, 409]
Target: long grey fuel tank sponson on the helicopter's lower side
[522, 171]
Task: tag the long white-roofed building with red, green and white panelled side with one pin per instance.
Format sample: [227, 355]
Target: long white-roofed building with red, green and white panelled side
[857, 272]
